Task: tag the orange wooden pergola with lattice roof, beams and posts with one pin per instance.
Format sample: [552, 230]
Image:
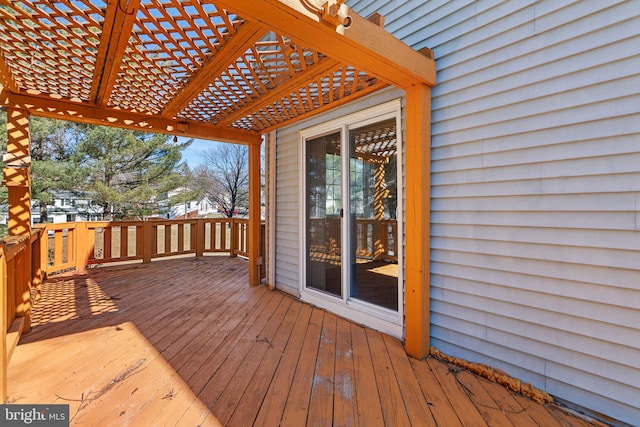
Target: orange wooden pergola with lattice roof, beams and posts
[225, 70]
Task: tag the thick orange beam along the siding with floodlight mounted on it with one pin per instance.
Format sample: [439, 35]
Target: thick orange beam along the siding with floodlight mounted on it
[363, 44]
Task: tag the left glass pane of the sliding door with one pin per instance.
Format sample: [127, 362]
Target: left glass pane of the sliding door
[324, 214]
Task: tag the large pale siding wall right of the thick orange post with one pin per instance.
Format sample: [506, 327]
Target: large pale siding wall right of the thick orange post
[536, 189]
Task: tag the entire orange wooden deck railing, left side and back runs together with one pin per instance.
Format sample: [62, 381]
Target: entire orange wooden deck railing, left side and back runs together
[55, 248]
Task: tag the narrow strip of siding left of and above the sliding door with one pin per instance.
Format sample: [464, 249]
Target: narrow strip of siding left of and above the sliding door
[289, 193]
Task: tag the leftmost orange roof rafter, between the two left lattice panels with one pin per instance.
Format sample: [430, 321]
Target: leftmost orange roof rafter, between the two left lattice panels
[118, 24]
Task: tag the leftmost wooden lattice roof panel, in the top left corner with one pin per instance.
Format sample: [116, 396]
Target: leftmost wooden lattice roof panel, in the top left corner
[51, 47]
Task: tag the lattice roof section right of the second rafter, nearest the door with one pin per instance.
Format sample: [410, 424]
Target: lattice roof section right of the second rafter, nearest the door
[236, 97]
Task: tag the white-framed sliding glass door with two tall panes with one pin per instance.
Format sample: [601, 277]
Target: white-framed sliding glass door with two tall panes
[350, 227]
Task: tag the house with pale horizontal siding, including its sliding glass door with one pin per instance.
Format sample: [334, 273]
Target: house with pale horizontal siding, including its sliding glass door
[535, 196]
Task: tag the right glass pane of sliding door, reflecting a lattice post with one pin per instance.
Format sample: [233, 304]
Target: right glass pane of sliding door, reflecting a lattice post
[373, 199]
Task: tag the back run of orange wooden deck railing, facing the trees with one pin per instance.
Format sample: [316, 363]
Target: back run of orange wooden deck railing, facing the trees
[76, 245]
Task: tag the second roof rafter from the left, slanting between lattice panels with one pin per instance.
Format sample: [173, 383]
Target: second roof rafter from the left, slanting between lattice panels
[243, 39]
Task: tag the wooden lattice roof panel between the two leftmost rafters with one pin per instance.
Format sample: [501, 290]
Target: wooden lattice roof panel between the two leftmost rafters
[170, 42]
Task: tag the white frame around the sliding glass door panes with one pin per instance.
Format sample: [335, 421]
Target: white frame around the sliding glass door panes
[379, 318]
